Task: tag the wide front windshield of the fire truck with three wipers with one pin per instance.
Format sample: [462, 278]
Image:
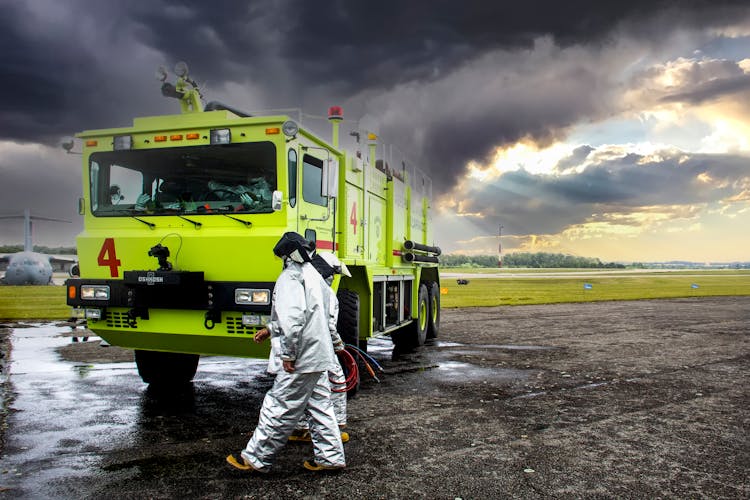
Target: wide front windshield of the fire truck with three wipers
[232, 178]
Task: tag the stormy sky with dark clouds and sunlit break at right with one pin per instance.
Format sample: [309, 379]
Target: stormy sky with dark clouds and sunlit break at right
[616, 130]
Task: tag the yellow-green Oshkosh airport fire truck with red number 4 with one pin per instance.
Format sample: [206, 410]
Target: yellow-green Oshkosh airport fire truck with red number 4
[181, 213]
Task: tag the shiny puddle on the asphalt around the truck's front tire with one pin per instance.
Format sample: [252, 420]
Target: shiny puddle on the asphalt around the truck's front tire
[65, 416]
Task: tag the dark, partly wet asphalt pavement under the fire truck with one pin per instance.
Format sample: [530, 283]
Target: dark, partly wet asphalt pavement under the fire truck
[643, 399]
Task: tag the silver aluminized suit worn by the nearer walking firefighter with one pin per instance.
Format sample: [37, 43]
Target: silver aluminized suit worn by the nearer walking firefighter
[300, 321]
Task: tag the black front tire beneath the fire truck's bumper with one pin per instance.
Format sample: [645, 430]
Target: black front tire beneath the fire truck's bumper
[166, 368]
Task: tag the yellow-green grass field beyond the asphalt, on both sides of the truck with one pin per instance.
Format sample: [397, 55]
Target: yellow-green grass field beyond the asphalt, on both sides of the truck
[48, 302]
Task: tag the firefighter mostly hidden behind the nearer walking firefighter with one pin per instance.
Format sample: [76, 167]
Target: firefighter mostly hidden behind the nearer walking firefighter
[328, 265]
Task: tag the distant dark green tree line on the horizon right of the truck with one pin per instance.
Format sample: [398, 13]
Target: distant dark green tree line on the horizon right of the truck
[533, 260]
